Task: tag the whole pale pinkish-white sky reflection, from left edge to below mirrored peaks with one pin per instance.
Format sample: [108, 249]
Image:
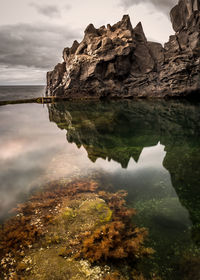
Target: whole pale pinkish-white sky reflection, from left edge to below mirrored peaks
[34, 151]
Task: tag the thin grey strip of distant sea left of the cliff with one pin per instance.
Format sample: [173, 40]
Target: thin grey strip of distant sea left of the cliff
[20, 92]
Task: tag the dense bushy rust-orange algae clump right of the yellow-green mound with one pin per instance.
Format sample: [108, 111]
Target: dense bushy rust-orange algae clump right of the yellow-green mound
[112, 241]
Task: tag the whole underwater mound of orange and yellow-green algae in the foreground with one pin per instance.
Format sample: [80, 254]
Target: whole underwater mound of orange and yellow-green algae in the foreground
[72, 231]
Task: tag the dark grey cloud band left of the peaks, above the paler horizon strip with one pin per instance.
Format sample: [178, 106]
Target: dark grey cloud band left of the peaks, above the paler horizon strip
[34, 46]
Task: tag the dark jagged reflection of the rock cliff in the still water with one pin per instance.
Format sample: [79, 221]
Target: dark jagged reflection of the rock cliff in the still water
[120, 130]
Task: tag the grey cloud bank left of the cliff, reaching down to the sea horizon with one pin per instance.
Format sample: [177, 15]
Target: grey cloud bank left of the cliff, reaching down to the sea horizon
[28, 51]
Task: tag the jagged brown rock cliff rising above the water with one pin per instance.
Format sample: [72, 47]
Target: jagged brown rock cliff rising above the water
[118, 61]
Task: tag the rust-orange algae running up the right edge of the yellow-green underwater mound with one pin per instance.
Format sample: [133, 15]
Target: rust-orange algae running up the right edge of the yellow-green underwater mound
[118, 239]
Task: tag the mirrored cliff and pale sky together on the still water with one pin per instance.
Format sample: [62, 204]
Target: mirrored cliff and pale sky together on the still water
[33, 151]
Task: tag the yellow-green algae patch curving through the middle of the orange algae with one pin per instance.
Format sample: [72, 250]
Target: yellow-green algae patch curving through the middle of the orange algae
[51, 261]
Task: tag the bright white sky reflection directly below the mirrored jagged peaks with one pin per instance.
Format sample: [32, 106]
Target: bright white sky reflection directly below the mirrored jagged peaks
[146, 176]
